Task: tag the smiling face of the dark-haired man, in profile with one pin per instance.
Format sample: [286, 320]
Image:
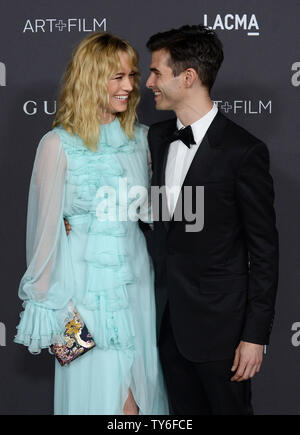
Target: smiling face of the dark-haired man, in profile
[168, 90]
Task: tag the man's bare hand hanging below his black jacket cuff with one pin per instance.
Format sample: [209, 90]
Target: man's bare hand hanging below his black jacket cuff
[247, 360]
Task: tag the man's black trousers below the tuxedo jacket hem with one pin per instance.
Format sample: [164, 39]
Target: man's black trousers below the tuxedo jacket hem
[200, 388]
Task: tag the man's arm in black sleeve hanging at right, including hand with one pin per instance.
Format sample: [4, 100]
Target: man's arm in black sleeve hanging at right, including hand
[256, 203]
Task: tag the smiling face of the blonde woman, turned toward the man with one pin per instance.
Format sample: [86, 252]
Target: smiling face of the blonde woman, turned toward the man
[121, 85]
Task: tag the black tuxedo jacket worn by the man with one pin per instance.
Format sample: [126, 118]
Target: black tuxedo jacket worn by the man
[220, 283]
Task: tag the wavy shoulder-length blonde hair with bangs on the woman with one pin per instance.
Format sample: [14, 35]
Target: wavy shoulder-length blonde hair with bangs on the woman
[84, 90]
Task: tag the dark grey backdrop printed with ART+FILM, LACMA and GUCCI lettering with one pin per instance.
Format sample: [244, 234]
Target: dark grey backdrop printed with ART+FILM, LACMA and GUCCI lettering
[258, 87]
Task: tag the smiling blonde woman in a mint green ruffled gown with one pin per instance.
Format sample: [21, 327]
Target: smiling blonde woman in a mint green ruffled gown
[103, 266]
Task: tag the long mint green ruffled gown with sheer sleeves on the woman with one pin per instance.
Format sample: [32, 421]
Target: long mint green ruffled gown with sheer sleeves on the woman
[102, 267]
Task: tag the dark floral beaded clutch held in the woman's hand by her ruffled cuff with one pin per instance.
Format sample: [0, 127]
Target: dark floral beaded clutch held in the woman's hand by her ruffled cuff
[78, 341]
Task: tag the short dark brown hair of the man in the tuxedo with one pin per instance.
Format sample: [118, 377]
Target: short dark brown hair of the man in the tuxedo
[195, 47]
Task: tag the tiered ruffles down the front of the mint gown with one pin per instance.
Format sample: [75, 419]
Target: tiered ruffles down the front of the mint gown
[108, 264]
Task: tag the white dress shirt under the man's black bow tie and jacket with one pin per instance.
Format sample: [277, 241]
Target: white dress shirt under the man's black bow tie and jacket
[180, 157]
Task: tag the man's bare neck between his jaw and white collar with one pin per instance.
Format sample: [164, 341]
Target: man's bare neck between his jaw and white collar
[192, 110]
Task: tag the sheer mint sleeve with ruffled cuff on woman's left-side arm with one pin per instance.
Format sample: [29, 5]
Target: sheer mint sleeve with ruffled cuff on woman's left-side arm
[46, 287]
